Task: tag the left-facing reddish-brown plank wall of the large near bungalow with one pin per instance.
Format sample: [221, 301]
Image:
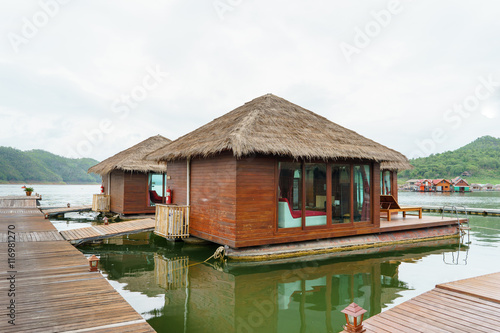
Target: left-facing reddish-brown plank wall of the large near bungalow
[213, 199]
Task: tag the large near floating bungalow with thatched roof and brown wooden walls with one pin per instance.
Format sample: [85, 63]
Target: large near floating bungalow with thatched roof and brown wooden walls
[272, 172]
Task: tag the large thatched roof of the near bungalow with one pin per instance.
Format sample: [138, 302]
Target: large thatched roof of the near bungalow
[272, 125]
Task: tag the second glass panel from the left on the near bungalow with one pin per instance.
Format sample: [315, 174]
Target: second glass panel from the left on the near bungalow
[315, 189]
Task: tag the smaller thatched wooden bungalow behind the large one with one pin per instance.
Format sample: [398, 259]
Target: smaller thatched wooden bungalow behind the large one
[134, 184]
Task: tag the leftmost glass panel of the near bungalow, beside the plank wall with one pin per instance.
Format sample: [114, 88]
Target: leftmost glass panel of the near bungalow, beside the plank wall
[290, 195]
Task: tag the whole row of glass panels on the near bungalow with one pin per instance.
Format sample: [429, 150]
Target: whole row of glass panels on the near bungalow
[312, 193]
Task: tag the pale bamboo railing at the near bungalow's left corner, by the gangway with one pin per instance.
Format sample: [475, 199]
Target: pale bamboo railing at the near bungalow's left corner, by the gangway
[172, 221]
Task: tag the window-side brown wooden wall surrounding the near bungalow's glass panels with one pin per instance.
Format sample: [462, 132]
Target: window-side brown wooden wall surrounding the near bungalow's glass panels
[256, 208]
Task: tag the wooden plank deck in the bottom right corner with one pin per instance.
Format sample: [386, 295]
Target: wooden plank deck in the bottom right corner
[470, 305]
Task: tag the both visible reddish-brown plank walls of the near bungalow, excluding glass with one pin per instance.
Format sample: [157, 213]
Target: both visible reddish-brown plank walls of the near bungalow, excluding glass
[234, 202]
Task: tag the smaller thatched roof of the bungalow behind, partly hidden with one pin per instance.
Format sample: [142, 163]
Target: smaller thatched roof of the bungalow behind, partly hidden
[132, 159]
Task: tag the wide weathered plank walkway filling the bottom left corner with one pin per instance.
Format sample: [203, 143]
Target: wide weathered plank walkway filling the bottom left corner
[53, 289]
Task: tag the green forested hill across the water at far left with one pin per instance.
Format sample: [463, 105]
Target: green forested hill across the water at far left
[39, 166]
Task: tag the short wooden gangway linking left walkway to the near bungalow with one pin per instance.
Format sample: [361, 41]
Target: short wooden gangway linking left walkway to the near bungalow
[81, 235]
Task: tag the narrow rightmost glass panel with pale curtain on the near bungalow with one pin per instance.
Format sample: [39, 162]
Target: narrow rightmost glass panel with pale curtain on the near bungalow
[362, 207]
